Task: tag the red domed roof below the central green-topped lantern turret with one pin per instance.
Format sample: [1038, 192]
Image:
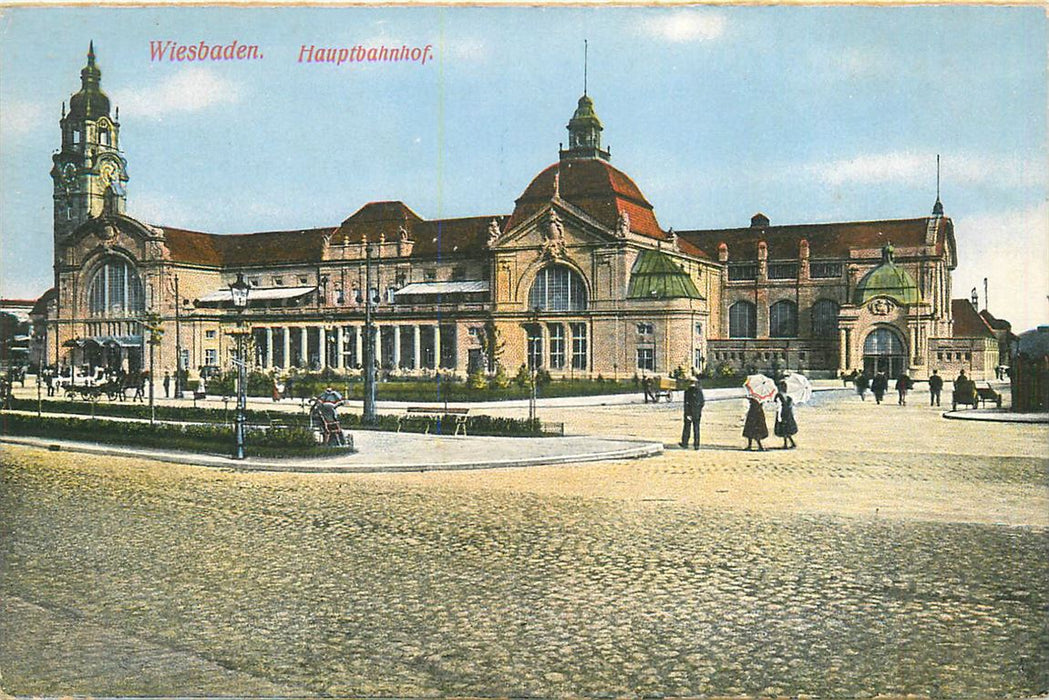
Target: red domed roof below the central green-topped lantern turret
[594, 186]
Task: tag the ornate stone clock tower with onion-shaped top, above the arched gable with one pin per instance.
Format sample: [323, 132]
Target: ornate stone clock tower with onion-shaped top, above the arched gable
[90, 173]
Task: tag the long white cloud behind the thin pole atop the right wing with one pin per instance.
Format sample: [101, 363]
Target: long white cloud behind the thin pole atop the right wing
[919, 168]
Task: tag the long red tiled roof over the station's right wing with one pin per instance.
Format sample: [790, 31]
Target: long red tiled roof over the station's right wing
[826, 241]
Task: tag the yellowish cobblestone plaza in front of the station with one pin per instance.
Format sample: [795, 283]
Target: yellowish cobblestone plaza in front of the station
[893, 554]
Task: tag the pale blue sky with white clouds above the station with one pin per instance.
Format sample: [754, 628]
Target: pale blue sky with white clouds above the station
[808, 115]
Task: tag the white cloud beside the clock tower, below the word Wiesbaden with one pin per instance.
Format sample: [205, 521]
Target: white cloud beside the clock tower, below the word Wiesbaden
[189, 91]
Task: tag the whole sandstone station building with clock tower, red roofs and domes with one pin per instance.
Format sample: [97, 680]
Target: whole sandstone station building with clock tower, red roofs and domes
[580, 280]
